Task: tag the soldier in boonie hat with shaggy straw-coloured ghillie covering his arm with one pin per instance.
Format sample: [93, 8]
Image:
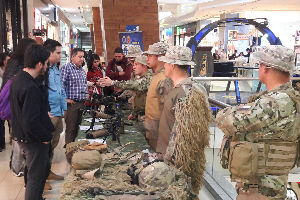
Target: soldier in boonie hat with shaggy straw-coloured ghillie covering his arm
[185, 117]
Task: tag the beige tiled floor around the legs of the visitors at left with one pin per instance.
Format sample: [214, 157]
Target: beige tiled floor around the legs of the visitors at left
[12, 187]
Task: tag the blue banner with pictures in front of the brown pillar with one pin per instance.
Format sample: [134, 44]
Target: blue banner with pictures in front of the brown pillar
[131, 38]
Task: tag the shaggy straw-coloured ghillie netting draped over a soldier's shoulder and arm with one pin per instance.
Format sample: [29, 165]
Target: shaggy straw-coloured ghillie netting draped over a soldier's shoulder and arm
[193, 116]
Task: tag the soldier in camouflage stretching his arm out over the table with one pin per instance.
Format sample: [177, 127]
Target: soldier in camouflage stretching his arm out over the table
[139, 85]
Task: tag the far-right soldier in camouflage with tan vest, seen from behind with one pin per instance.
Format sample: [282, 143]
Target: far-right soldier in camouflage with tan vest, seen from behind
[269, 123]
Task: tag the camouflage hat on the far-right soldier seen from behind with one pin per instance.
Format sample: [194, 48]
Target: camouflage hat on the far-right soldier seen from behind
[277, 57]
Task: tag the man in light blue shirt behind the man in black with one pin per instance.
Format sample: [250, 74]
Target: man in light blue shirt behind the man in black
[56, 98]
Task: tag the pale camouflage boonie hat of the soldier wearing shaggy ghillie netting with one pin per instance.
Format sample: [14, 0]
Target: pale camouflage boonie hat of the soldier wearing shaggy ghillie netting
[178, 55]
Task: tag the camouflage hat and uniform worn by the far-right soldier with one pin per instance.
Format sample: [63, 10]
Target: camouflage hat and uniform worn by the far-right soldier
[270, 118]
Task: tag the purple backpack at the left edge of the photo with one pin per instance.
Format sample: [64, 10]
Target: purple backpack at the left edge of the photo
[4, 101]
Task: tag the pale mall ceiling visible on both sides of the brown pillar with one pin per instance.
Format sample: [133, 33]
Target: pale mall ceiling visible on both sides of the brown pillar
[176, 12]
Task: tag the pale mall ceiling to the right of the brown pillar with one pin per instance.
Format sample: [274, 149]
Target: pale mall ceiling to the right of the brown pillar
[175, 13]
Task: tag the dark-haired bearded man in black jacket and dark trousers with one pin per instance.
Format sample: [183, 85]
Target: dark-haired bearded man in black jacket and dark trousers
[31, 125]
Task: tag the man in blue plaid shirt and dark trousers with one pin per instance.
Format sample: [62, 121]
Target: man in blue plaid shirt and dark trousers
[75, 84]
